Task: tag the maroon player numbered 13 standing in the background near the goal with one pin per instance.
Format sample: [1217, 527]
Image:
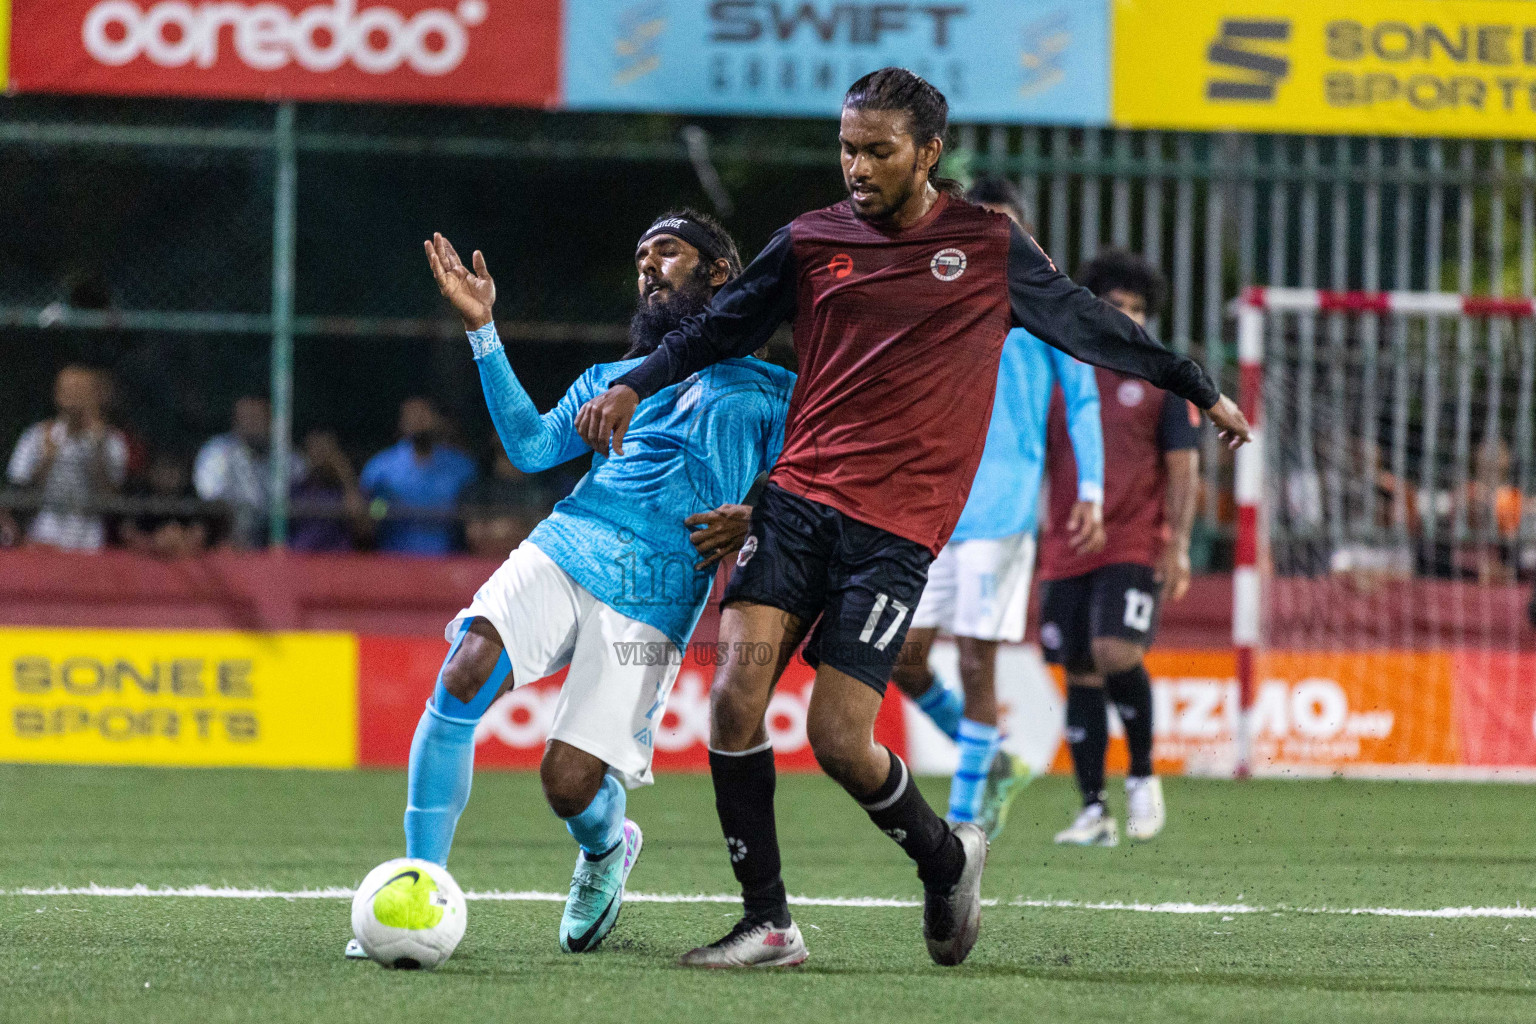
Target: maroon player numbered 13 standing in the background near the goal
[1099, 612]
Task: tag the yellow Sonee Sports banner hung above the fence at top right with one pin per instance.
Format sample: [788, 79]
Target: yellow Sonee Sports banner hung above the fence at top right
[1368, 67]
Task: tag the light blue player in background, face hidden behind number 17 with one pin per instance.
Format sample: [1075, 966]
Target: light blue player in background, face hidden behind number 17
[979, 586]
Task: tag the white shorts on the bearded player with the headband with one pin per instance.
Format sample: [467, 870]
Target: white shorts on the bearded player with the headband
[621, 670]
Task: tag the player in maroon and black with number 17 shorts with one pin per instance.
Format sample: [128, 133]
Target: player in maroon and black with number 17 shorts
[901, 299]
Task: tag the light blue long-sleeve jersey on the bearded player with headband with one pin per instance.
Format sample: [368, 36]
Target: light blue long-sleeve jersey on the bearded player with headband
[690, 448]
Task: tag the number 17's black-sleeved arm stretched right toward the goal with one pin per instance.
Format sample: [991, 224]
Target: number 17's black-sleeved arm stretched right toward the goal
[1048, 305]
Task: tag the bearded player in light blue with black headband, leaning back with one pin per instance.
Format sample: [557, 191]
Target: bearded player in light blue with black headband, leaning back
[609, 584]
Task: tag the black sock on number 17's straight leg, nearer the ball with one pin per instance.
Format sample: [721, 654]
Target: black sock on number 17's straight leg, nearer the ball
[744, 787]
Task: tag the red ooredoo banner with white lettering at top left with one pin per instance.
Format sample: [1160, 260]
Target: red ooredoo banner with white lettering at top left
[417, 51]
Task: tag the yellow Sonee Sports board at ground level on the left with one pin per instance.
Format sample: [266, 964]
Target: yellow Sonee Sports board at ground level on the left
[184, 698]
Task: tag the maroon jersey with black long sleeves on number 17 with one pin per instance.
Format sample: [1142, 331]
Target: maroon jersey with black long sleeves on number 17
[899, 335]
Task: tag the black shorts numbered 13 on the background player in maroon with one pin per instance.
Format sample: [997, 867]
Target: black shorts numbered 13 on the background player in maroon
[1116, 601]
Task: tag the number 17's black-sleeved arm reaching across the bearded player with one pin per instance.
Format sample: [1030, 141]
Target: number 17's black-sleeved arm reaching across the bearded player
[740, 320]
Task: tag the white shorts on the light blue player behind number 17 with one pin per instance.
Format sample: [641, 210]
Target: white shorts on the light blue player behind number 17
[979, 589]
